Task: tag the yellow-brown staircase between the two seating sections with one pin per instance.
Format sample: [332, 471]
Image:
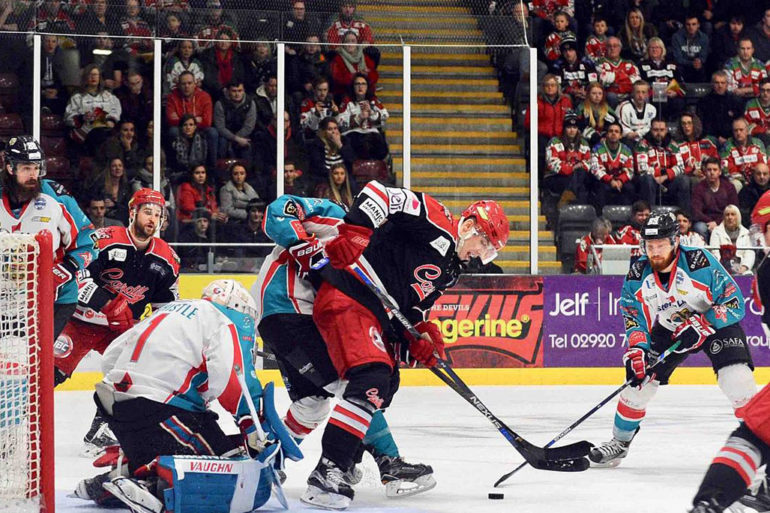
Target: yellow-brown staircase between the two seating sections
[463, 147]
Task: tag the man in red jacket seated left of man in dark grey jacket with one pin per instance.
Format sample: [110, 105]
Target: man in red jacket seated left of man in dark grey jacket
[188, 99]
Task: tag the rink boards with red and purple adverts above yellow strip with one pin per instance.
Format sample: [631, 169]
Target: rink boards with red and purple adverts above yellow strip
[524, 330]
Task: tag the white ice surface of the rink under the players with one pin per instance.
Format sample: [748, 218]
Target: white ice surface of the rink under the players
[685, 426]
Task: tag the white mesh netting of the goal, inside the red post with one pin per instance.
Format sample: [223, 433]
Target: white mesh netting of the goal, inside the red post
[20, 414]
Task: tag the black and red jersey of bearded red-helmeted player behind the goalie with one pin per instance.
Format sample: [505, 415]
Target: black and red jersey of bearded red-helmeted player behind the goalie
[143, 278]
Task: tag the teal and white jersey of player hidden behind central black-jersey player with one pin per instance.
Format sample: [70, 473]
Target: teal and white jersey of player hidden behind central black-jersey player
[288, 220]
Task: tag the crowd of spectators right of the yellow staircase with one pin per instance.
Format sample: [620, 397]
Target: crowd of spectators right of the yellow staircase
[625, 116]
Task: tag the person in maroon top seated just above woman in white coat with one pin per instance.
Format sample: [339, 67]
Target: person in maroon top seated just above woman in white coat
[710, 197]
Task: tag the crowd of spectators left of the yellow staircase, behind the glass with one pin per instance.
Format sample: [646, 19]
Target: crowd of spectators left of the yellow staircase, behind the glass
[219, 103]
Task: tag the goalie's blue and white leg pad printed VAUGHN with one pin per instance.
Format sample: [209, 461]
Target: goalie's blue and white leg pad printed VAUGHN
[214, 485]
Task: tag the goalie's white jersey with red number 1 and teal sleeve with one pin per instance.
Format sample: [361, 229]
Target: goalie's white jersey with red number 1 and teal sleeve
[186, 354]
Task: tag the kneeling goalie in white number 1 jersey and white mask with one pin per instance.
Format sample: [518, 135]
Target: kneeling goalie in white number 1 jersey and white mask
[160, 377]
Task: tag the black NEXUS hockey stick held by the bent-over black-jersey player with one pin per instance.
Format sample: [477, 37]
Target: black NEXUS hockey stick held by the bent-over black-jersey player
[570, 458]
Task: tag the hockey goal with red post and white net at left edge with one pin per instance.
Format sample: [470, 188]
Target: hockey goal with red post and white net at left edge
[26, 373]
